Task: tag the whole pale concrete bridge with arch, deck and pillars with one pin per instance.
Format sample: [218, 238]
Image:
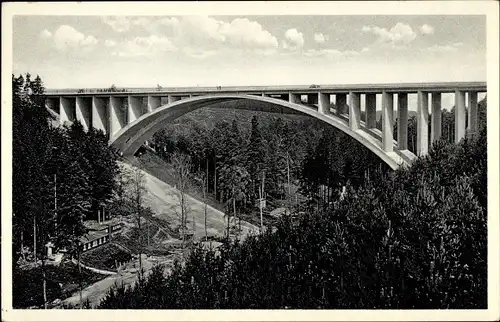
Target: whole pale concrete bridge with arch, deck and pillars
[132, 116]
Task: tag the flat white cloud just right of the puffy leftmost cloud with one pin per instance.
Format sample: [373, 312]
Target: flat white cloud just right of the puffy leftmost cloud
[144, 46]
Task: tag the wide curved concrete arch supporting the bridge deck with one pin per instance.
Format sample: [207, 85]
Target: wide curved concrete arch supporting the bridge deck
[129, 139]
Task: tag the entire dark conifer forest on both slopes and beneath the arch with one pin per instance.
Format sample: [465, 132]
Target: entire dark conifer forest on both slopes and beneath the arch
[363, 236]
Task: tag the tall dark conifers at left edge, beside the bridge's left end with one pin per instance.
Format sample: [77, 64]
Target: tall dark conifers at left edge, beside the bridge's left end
[61, 177]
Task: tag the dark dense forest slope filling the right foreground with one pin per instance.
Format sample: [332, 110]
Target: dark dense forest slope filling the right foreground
[412, 239]
